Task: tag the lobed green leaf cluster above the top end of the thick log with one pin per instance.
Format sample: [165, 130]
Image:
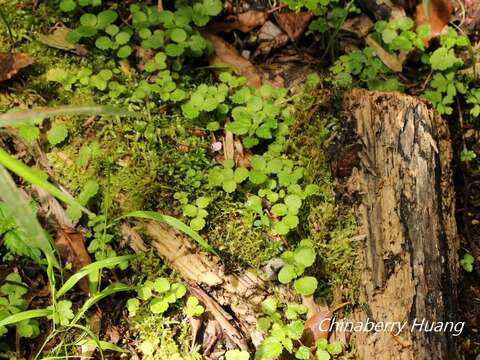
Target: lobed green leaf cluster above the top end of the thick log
[445, 82]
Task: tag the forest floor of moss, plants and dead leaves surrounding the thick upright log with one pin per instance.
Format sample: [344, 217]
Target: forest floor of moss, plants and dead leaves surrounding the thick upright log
[218, 127]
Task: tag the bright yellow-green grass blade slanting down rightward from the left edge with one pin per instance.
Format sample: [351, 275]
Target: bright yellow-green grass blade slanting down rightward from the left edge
[32, 176]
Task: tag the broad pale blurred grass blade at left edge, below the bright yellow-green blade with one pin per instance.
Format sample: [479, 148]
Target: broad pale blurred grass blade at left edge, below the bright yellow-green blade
[25, 217]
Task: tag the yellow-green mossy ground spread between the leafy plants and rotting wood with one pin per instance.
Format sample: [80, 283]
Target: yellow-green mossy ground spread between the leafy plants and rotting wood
[141, 163]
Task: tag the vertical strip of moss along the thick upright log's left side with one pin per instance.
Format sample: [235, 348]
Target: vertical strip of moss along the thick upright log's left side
[329, 223]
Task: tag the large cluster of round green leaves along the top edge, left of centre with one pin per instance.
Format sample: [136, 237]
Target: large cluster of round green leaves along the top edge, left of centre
[172, 32]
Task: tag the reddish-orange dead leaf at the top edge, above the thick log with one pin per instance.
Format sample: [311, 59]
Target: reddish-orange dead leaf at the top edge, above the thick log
[439, 13]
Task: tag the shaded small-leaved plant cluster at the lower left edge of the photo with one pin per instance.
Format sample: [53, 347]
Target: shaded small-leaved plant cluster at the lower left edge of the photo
[12, 301]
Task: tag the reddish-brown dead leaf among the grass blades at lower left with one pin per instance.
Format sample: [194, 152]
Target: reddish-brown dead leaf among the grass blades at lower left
[71, 246]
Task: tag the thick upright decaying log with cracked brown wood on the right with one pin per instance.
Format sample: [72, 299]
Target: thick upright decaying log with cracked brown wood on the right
[410, 257]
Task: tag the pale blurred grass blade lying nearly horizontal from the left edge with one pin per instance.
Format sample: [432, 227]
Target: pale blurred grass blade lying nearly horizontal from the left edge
[30, 116]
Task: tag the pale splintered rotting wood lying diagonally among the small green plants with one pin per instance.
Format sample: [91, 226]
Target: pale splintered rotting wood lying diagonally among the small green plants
[207, 280]
